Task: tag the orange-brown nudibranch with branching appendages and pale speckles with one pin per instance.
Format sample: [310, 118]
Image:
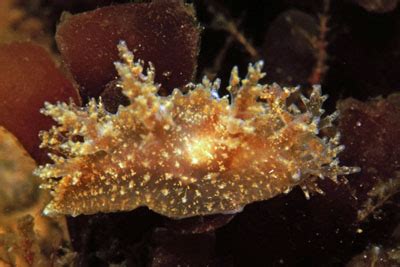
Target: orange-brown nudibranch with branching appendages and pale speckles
[186, 154]
